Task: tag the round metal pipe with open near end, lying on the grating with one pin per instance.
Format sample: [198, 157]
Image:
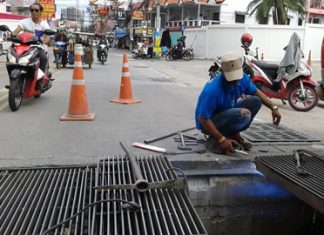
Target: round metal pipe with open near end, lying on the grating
[141, 184]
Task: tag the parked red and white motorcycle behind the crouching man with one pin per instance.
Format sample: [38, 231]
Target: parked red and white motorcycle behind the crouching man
[296, 87]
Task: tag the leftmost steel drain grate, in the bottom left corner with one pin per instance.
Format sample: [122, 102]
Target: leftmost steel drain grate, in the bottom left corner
[31, 201]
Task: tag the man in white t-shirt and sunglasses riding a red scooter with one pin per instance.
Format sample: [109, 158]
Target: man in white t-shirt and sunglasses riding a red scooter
[36, 26]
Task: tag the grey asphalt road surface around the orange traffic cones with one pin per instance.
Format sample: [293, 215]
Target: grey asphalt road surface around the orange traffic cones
[168, 90]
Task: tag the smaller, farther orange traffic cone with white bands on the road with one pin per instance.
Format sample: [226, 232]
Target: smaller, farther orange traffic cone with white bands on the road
[125, 92]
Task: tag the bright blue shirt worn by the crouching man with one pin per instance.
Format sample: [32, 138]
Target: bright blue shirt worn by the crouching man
[218, 95]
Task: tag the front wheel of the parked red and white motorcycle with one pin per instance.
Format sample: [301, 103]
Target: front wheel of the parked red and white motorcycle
[302, 104]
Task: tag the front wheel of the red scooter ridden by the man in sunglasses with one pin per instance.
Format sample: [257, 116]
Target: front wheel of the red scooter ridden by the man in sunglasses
[15, 94]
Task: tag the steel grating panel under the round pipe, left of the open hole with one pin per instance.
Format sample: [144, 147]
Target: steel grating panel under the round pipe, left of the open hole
[162, 211]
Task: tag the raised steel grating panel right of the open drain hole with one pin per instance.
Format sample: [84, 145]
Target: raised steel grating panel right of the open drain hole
[282, 170]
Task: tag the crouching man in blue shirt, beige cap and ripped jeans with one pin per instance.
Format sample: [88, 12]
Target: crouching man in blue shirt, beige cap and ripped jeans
[221, 114]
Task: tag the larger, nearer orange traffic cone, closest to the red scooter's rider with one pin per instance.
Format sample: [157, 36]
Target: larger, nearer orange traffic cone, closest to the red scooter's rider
[78, 107]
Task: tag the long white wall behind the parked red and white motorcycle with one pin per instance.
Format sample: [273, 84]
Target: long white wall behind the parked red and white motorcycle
[216, 40]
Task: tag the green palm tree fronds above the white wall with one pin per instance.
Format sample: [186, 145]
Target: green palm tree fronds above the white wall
[278, 8]
